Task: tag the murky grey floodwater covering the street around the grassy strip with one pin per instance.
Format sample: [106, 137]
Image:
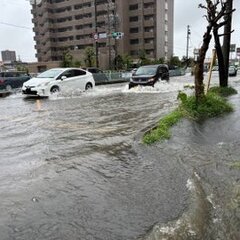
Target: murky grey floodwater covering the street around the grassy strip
[73, 167]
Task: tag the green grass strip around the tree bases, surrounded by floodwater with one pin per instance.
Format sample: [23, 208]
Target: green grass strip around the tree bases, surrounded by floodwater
[213, 104]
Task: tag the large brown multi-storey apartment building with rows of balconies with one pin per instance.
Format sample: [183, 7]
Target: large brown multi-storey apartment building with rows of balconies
[73, 25]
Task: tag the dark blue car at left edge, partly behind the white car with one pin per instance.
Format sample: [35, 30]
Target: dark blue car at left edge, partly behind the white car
[12, 79]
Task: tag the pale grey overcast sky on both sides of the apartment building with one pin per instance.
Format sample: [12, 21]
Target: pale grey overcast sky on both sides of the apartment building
[16, 27]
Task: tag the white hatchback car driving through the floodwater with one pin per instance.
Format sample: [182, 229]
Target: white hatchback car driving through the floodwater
[58, 79]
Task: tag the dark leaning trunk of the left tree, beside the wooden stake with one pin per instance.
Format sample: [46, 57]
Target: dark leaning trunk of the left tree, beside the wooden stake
[199, 87]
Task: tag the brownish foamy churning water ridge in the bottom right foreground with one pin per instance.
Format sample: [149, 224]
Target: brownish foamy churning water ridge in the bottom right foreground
[193, 224]
